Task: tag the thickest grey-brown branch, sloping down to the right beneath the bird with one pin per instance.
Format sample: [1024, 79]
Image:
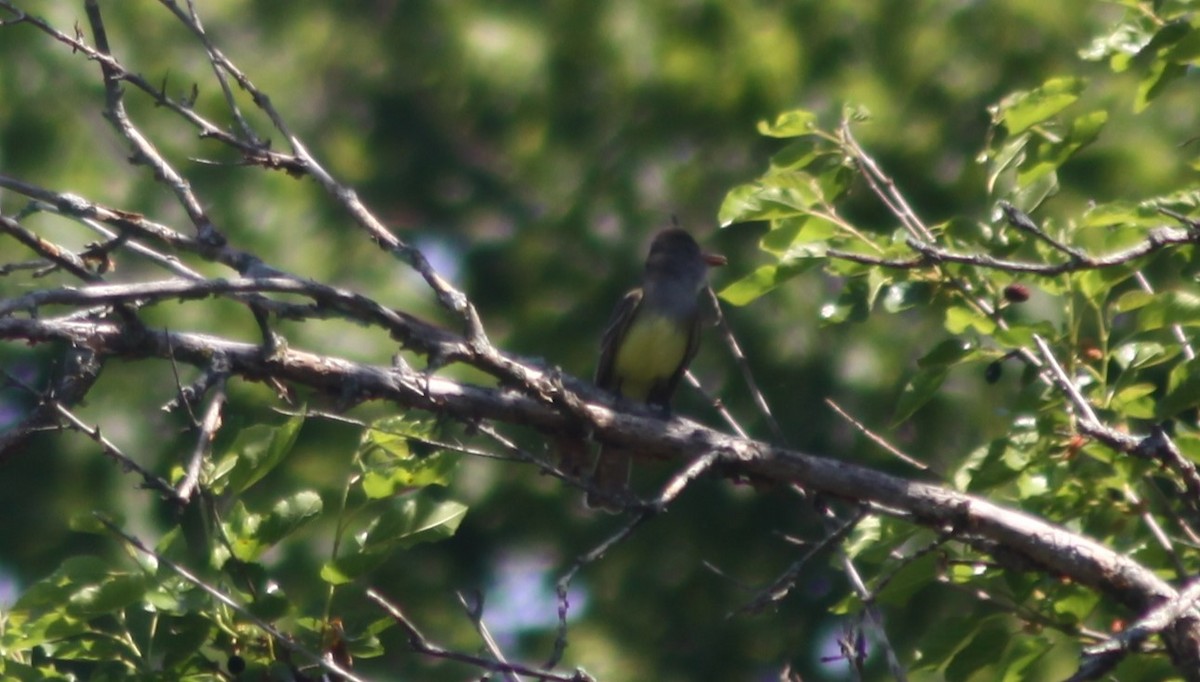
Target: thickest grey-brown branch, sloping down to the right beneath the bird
[971, 519]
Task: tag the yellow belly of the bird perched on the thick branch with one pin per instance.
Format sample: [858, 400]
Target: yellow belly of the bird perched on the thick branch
[652, 351]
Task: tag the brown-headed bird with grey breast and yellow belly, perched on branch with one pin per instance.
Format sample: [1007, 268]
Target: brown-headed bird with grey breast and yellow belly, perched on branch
[650, 342]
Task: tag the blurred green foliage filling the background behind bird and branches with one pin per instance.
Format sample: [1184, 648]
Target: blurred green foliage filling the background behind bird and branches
[531, 149]
